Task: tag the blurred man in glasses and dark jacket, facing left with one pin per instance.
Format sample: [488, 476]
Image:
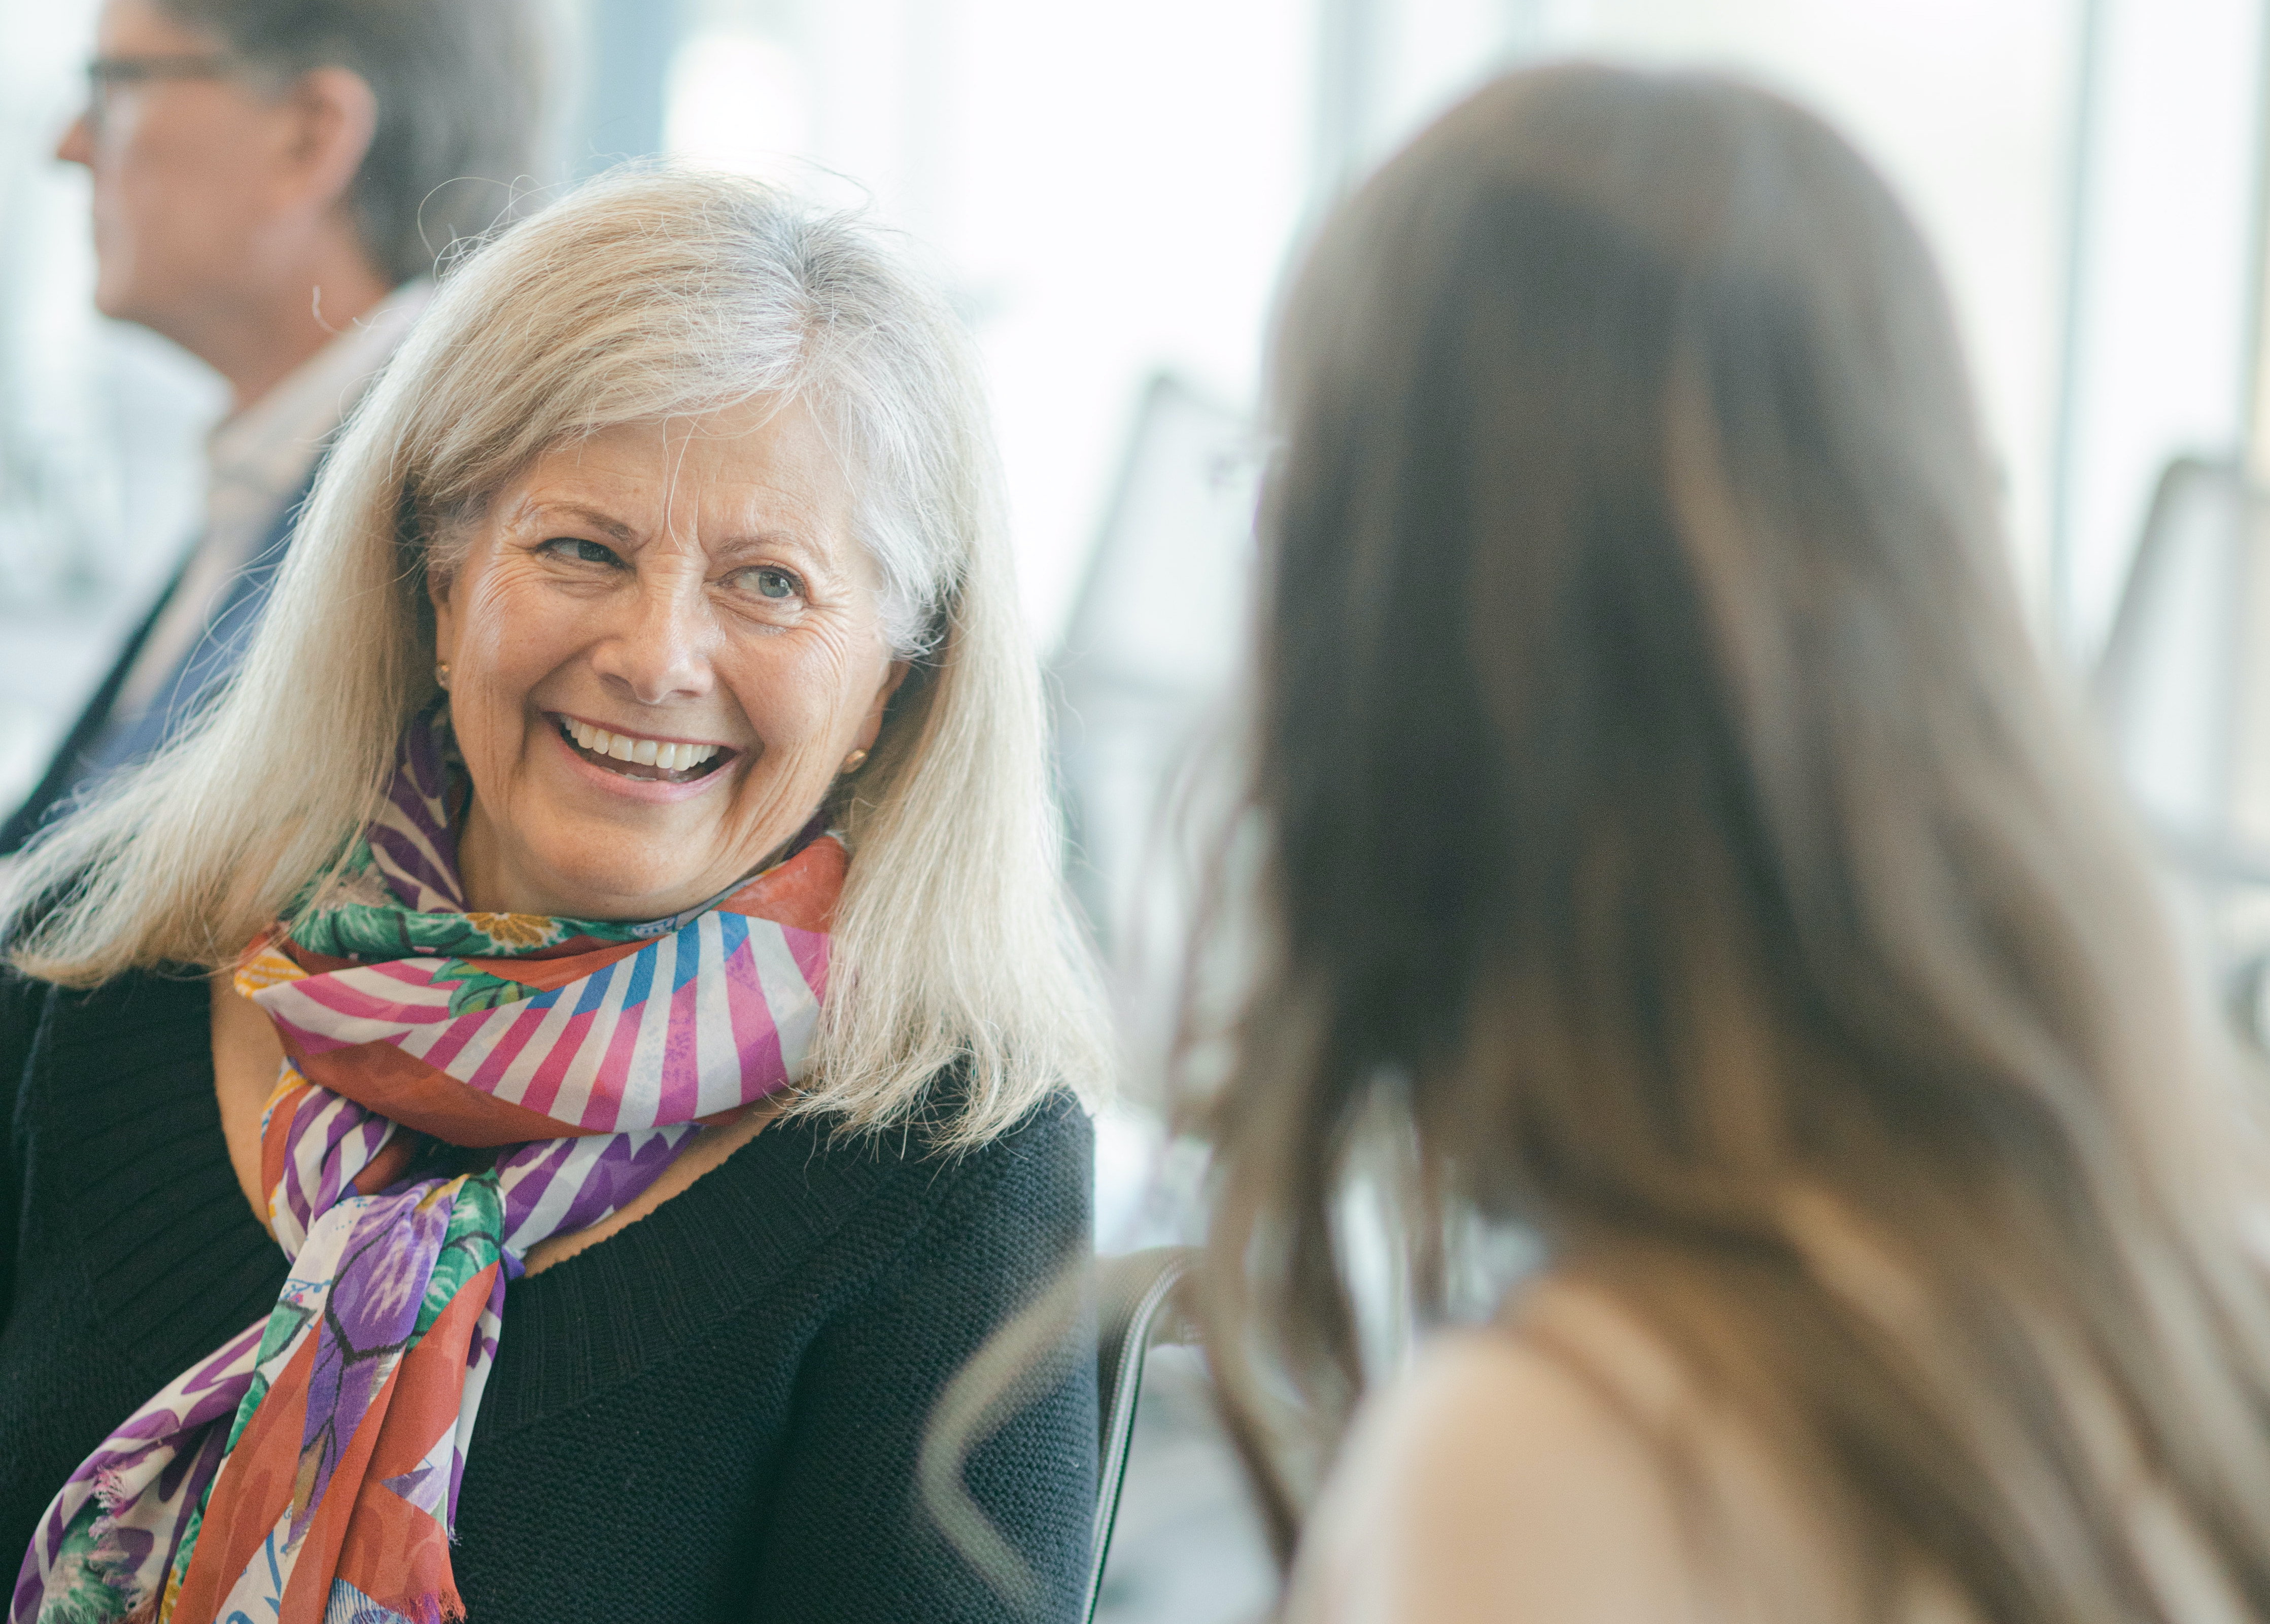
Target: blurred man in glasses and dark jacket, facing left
[274, 183]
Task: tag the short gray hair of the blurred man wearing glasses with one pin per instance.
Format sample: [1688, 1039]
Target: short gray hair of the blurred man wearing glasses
[462, 97]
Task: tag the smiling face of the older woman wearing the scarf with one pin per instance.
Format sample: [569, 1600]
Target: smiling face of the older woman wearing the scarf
[662, 646]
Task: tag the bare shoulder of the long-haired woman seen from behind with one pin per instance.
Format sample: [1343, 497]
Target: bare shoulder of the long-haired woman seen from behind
[1497, 1482]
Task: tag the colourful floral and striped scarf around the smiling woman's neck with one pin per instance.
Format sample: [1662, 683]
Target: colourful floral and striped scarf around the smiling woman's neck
[308, 1471]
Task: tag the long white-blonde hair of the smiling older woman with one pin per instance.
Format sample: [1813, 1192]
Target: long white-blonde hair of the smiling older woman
[646, 294]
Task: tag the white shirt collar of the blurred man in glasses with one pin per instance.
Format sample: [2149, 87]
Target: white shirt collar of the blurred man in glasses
[255, 462]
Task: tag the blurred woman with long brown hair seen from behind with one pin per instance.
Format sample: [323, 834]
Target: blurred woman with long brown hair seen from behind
[1679, 846]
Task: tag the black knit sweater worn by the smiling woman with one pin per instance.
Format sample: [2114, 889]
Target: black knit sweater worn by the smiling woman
[709, 1416]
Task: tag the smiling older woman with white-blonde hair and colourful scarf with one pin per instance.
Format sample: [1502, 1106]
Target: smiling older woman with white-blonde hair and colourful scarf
[448, 1087]
